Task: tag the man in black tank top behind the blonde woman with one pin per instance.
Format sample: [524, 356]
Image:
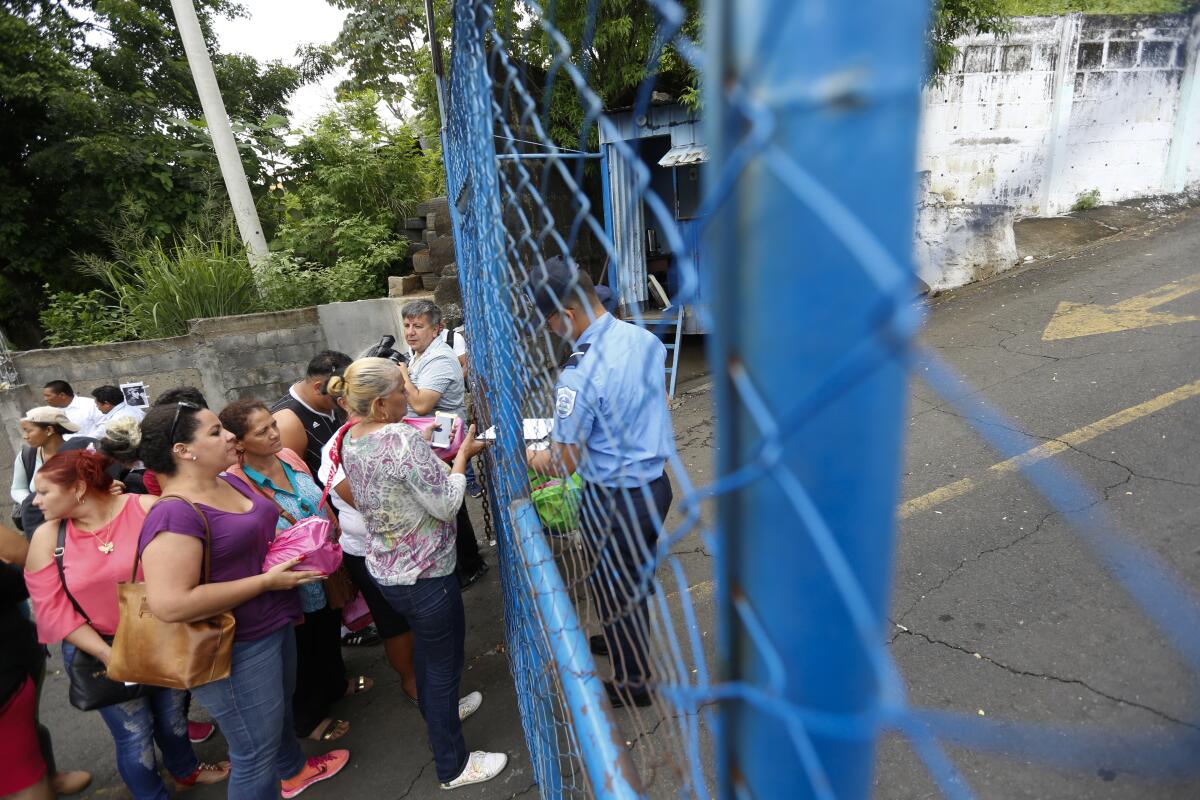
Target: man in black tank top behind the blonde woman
[308, 417]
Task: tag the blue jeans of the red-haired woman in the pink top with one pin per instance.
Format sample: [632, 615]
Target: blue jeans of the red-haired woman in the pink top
[159, 718]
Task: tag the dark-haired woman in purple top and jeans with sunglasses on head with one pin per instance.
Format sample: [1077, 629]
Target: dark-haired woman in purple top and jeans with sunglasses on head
[189, 450]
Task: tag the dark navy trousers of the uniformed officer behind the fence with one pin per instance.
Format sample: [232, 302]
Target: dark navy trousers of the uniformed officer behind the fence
[621, 530]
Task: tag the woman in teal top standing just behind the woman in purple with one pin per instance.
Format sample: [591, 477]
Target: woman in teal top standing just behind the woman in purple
[283, 476]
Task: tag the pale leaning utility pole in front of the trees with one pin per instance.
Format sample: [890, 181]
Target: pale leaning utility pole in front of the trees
[243, 202]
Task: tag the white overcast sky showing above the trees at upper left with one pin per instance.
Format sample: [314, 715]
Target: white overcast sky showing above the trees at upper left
[274, 29]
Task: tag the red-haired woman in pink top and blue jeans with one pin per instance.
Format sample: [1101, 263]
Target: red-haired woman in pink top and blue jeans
[101, 543]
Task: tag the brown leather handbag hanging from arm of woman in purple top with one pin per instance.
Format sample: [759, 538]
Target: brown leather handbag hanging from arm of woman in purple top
[175, 655]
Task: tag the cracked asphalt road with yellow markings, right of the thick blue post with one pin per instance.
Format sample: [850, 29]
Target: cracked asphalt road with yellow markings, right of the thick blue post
[1000, 610]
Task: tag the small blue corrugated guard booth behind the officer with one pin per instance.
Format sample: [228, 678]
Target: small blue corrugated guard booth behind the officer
[668, 143]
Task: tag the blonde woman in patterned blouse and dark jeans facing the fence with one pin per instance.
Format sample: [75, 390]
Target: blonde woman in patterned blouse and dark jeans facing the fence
[410, 501]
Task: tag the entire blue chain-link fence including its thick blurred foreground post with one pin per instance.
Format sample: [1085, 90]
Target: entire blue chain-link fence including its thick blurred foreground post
[813, 121]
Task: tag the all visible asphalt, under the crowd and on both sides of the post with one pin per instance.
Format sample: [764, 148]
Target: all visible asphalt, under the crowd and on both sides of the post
[998, 606]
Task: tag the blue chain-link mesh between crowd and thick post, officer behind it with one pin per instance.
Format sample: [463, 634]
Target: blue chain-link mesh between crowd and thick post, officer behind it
[520, 200]
